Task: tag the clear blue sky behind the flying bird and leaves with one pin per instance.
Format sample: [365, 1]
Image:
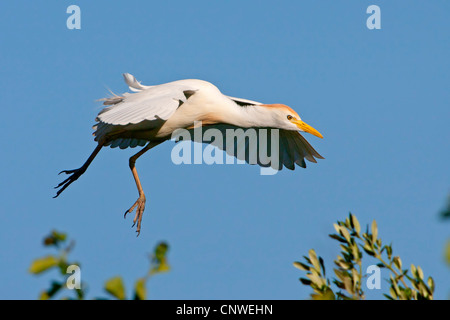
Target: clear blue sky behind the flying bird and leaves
[379, 97]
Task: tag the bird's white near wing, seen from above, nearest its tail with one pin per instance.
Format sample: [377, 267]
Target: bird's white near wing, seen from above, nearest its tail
[146, 103]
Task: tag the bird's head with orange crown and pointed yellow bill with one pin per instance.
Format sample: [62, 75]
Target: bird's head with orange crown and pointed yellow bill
[288, 119]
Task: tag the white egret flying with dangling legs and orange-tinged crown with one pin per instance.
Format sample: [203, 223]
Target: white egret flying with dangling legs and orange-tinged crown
[149, 116]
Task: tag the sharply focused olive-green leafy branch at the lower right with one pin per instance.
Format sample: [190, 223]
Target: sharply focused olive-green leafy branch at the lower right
[348, 284]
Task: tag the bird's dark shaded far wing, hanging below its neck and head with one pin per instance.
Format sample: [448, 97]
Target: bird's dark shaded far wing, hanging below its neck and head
[266, 147]
